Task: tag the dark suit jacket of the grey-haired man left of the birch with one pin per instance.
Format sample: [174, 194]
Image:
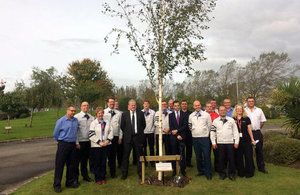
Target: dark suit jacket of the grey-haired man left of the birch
[126, 126]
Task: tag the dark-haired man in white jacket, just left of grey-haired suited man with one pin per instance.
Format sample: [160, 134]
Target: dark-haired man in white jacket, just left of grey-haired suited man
[114, 118]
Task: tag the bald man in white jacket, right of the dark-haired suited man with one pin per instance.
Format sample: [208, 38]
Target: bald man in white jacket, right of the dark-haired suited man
[200, 125]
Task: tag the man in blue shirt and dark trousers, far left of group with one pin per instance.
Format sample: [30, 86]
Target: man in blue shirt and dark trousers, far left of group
[65, 133]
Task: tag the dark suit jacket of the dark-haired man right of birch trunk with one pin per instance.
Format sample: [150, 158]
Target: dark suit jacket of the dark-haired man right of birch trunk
[183, 123]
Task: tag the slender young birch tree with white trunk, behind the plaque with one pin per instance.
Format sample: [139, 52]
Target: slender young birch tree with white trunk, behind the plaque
[165, 35]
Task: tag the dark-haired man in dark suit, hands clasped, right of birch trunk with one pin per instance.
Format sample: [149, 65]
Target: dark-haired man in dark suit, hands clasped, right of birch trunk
[178, 124]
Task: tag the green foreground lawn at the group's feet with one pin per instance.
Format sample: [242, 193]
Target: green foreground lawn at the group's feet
[280, 180]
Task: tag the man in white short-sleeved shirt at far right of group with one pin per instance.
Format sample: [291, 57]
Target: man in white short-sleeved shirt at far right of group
[257, 118]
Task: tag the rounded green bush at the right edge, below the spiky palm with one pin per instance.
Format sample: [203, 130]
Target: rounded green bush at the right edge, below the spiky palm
[281, 150]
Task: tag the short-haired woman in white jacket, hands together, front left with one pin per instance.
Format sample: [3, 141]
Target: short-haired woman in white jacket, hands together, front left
[100, 135]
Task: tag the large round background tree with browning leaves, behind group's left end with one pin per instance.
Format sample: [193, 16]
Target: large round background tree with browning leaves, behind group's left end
[89, 82]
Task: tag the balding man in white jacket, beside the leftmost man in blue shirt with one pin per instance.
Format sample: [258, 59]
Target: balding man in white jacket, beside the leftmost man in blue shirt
[83, 144]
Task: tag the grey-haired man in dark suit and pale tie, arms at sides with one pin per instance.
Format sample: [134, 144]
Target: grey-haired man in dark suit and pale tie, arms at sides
[133, 125]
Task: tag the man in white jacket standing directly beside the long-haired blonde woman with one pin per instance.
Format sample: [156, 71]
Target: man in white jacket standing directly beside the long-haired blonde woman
[224, 136]
